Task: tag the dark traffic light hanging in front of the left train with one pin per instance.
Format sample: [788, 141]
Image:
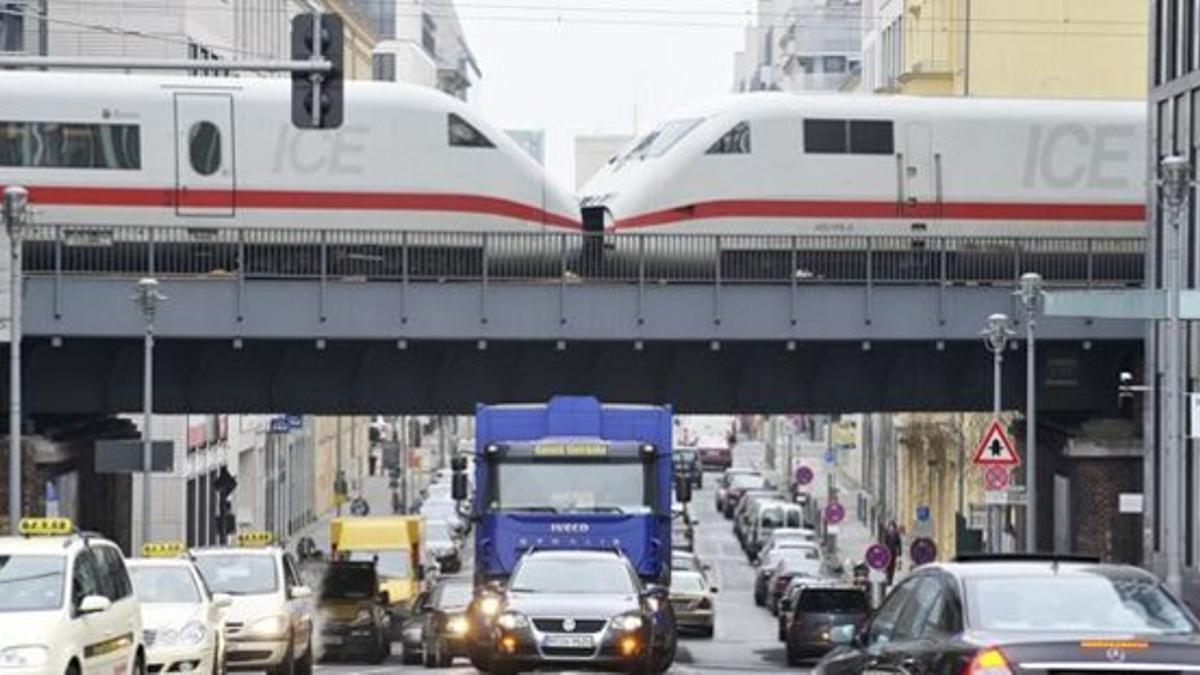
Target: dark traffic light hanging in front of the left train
[327, 44]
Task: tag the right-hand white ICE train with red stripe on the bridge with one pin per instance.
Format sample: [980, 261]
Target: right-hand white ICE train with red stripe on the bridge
[802, 165]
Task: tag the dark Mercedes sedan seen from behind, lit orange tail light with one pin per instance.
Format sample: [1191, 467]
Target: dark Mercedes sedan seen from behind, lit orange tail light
[1023, 614]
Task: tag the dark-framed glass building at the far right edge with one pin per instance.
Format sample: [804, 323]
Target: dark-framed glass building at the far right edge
[1174, 105]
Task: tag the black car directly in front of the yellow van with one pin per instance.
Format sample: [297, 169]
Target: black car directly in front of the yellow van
[353, 614]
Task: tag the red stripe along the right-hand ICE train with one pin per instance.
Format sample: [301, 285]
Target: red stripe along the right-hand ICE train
[953, 211]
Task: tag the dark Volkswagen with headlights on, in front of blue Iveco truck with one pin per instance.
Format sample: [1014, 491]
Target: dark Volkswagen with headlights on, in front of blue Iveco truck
[583, 610]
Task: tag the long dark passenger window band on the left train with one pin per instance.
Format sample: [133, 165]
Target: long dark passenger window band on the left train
[70, 146]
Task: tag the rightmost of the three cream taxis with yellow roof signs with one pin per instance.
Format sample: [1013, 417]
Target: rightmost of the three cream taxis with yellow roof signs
[269, 624]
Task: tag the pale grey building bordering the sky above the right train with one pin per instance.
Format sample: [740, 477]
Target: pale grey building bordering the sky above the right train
[801, 46]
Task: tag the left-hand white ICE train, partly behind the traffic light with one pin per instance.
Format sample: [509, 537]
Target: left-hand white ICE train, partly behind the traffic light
[213, 153]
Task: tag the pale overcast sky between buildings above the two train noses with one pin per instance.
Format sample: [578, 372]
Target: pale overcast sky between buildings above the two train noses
[595, 67]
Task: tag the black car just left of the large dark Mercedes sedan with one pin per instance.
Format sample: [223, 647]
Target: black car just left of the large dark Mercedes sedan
[811, 614]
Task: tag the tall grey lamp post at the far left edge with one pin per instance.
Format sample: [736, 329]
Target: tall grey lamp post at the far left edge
[16, 202]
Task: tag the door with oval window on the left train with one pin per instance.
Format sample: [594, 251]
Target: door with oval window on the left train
[205, 160]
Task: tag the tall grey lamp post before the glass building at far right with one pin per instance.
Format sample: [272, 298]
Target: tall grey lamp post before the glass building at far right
[1175, 180]
